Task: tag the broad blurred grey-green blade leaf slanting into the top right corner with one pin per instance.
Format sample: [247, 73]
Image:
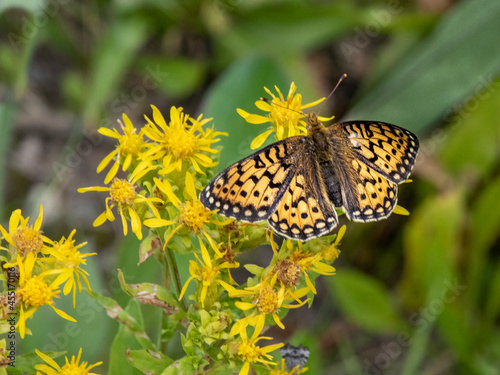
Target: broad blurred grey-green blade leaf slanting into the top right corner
[451, 63]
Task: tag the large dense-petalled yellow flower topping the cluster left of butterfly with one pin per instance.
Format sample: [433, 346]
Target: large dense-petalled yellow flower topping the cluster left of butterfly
[179, 144]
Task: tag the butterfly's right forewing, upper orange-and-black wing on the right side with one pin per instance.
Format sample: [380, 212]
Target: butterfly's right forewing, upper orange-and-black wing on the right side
[387, 149]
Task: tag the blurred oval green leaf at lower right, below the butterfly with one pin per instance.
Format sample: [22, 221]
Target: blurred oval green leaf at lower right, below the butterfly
[364, 301]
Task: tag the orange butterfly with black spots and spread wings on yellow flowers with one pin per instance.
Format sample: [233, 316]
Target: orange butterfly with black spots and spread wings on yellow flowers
[297, 183]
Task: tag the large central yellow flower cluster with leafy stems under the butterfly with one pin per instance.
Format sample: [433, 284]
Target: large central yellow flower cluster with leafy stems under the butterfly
[167, 163]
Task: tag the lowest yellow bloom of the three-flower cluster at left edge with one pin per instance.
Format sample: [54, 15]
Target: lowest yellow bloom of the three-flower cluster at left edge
[34, 292]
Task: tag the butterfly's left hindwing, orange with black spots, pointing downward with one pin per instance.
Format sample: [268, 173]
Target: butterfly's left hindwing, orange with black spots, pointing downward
[305, 210]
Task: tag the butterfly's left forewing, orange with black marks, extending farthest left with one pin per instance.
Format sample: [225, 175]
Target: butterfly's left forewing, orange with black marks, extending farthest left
[250, 189]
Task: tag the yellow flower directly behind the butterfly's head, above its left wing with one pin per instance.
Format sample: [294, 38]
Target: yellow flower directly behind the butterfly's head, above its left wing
[285, 115]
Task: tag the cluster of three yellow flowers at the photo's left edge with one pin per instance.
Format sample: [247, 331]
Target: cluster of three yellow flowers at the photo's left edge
[37, 269]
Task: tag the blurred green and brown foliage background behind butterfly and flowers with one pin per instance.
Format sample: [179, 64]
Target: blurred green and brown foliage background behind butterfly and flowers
[412, 295]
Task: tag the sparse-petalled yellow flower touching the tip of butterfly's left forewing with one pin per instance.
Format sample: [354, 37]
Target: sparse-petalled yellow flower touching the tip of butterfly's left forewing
[192, 214]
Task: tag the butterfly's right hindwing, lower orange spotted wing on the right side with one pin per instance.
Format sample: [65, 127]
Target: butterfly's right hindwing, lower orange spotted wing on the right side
[373, 196]
